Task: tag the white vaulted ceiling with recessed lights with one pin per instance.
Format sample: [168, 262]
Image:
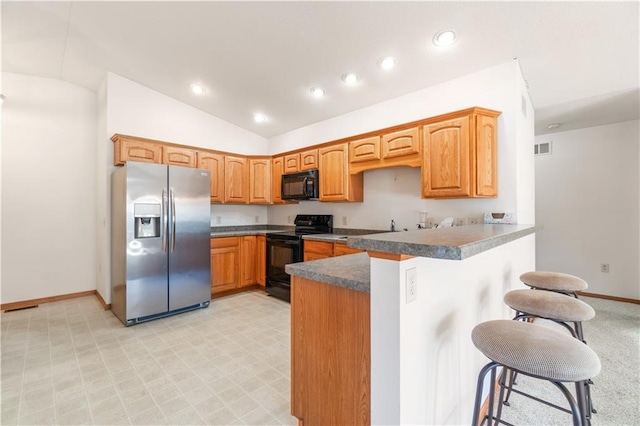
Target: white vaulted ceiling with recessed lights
[580, 59]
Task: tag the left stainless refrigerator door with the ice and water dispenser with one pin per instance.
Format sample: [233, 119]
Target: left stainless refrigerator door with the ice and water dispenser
[146, 282]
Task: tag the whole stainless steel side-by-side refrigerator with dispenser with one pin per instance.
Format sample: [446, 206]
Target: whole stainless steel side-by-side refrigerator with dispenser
[160, 232]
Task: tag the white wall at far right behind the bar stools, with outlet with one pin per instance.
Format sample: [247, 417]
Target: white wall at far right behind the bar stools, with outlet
[588, 206]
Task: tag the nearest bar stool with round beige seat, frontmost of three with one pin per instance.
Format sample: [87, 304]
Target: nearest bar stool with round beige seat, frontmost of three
[538, 352]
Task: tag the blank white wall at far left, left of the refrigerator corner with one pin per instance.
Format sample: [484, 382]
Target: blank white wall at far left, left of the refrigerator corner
[48, 188]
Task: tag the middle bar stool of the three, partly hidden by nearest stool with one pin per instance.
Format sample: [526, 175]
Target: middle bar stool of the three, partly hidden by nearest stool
[554, 307]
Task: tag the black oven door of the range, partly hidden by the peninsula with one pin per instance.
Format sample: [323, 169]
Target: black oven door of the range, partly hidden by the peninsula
[281, 252]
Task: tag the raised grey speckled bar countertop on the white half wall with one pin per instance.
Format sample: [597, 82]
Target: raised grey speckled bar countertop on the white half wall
[456, 243]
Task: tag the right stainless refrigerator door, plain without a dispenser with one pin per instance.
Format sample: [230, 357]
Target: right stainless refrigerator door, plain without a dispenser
[190, 232]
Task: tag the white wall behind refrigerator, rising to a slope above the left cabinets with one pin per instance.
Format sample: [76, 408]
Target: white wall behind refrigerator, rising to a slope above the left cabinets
[136, 110]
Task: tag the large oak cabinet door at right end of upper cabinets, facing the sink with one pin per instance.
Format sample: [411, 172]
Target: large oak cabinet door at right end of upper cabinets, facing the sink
[446, 162]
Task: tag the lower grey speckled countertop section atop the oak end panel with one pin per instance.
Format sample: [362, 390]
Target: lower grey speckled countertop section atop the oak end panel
[350, 271]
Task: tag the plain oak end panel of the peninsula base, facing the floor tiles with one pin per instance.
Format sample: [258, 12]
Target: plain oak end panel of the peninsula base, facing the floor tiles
[330, 354]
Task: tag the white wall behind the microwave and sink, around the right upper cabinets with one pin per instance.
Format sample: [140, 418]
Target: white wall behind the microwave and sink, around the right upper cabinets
[395, 193]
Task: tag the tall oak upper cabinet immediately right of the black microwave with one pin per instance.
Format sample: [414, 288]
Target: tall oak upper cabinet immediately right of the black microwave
[336, 184]
